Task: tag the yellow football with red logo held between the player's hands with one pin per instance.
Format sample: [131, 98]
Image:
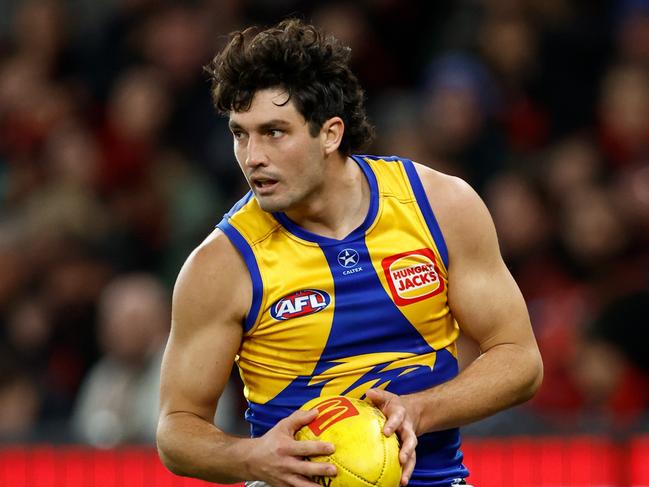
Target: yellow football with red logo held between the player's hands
[364, 456]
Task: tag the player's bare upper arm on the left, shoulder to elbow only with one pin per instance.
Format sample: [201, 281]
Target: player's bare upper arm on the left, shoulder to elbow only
[210, 300]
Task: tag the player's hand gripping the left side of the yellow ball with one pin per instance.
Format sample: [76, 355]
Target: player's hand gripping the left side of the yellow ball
[278, 458]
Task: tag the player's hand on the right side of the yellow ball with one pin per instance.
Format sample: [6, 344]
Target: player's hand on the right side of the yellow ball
[400, 420]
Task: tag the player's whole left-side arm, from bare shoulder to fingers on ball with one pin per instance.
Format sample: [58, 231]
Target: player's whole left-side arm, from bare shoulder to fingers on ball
[211, 298]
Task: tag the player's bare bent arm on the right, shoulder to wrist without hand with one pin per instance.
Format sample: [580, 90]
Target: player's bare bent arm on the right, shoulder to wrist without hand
[489, 308]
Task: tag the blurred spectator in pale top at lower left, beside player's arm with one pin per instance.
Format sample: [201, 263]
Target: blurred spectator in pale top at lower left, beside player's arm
[118, 400]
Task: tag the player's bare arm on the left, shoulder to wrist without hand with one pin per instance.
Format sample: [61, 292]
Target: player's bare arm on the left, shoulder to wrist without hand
[205, 336]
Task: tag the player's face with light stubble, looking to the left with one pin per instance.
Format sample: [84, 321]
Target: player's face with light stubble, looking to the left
[283, 163]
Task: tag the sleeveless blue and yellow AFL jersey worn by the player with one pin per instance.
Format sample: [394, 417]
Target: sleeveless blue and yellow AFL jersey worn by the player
[337, 317]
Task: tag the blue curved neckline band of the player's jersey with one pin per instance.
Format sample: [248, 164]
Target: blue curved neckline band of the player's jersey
[359, 231]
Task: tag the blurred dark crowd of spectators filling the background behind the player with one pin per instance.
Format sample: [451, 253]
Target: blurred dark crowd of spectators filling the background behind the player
[114, 165]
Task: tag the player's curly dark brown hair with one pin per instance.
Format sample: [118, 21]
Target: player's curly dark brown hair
[312, 67]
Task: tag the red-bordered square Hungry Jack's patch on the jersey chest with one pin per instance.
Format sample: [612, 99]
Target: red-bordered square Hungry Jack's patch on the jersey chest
[412, 276]
